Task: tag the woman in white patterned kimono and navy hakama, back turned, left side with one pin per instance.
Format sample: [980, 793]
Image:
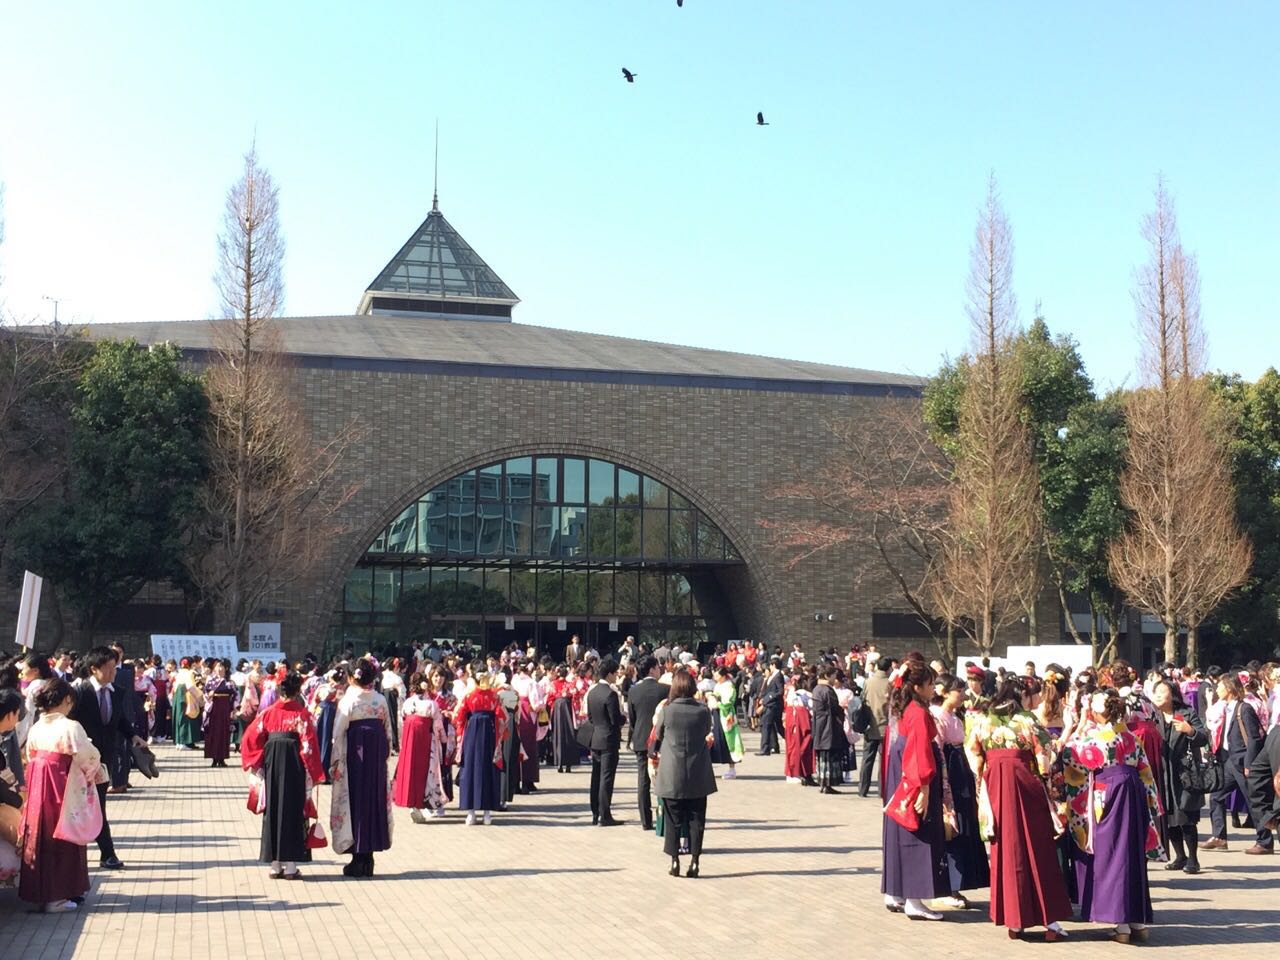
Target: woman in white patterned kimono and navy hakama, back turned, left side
[360, 812]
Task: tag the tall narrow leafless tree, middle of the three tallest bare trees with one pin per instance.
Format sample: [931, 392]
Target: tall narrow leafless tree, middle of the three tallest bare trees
[991, 543]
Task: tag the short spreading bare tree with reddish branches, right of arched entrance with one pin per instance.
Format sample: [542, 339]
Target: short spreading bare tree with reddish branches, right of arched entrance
[886, 486]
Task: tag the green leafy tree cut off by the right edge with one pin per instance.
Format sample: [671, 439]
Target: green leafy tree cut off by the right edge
[1250, 621]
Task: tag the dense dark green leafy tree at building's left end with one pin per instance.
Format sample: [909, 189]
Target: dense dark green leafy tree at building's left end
[135, 464]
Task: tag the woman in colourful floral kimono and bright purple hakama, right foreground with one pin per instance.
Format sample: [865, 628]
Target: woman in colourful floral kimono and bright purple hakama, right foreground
[1114, 807]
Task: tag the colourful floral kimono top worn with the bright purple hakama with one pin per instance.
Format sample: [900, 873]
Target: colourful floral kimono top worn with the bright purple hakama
[1085, 757]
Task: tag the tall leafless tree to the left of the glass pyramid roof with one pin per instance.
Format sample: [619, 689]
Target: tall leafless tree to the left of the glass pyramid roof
[272, 501]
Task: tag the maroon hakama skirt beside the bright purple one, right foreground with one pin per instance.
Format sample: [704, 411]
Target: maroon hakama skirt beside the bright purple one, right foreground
[1027, 888]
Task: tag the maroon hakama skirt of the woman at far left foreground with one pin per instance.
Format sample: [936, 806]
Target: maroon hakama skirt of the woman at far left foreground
[52, 870]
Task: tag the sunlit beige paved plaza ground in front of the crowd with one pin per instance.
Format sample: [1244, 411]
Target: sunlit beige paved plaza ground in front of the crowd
[787, 874]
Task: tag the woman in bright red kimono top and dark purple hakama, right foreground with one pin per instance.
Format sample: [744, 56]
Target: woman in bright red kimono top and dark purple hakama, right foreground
[913, 838]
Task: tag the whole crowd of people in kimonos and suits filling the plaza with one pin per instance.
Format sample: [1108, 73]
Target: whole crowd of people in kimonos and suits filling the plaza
[1057, 792]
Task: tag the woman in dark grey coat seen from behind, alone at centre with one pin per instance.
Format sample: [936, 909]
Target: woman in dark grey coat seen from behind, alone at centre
[682, 743]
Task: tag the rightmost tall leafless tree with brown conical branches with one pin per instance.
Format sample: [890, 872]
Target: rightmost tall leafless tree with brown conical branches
[1183, 551]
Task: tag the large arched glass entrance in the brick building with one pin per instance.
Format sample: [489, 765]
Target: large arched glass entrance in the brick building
[540, 548]
